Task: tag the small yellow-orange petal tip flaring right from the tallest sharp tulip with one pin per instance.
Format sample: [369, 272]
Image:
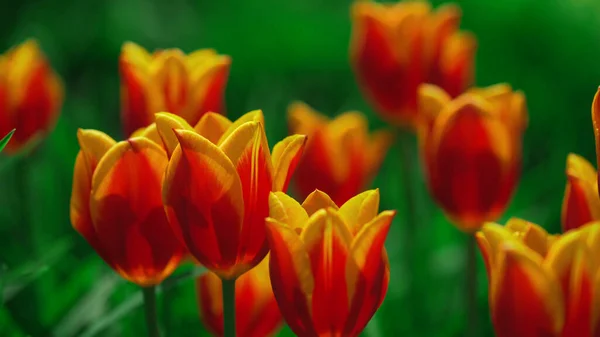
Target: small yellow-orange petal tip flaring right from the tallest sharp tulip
[286, 155]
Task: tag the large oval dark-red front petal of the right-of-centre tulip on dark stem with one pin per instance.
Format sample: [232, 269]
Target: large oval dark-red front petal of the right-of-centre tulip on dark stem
[472, 155]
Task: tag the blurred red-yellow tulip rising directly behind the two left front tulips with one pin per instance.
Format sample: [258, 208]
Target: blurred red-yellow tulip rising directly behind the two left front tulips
[168, 80]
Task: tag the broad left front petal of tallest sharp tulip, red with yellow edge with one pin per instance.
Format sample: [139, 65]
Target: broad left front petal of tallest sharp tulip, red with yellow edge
[202, 194]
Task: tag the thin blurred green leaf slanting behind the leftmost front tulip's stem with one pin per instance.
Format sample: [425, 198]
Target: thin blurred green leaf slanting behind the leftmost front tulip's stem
[137, 300]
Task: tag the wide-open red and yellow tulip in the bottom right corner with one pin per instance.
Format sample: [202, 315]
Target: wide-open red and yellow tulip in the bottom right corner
[541, 285]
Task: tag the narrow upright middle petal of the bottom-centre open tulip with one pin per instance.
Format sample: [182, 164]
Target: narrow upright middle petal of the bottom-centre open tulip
[327, 241]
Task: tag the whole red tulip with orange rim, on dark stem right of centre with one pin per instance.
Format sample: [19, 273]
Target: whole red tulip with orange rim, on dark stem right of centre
[471, 148]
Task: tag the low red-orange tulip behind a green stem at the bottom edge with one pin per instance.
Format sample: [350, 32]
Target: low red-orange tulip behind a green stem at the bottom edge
[257, 313]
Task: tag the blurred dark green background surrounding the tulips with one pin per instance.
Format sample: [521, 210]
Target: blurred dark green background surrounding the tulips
[53, 284]
